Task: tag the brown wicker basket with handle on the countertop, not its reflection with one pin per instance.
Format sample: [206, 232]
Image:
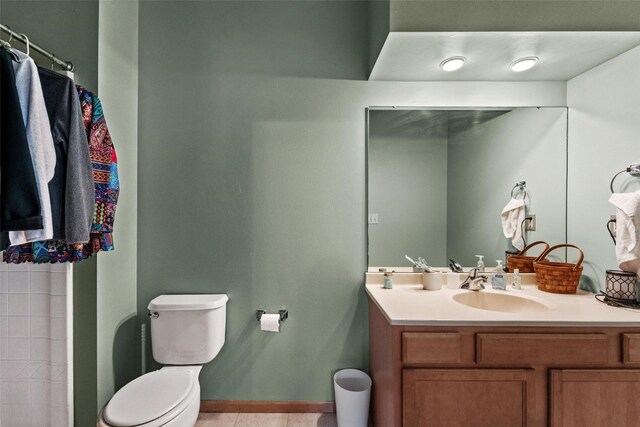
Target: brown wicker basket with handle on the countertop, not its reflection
[558, 277]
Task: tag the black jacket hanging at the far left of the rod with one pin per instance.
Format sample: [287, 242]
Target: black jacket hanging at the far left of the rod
[19, 199]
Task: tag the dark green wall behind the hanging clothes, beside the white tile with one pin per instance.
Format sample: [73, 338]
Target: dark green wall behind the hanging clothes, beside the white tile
[69, 28]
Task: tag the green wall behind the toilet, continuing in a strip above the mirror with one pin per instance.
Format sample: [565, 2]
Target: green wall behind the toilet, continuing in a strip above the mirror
[252, 178]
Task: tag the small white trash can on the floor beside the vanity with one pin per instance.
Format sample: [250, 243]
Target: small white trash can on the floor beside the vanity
[353, 390]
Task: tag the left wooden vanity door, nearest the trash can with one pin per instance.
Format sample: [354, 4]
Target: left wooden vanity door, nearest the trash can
[468, 397]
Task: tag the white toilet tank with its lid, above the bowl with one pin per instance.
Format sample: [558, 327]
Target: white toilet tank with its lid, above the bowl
[187, 329]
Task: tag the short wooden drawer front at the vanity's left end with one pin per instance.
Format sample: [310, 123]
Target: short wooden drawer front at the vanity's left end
[431, 347]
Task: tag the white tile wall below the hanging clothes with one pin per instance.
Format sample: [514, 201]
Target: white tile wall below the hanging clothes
[35, 354]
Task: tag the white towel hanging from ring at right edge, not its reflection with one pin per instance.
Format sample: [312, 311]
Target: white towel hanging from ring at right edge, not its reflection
[627, 230]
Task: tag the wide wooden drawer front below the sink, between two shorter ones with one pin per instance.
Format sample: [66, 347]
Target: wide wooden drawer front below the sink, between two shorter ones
[518, 349]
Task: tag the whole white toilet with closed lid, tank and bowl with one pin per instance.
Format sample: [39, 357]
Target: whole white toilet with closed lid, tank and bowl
[187, 331]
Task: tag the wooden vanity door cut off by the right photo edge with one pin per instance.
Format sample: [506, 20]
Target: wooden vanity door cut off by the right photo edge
[590, 398]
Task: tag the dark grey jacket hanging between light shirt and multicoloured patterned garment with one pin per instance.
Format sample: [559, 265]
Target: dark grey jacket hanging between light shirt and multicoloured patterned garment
[72, 187]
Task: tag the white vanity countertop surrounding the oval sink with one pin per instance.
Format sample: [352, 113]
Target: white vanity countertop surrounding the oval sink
[410, 304]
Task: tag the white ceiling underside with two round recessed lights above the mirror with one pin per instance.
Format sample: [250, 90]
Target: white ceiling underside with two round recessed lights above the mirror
[410, 56]
